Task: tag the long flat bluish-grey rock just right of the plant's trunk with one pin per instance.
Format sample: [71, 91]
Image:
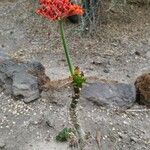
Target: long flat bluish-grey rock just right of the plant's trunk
[109, 94]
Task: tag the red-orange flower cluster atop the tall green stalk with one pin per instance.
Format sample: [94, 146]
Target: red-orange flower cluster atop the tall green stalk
[58, 9]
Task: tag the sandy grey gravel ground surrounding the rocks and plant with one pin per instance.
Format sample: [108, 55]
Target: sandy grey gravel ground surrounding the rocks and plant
[120, 50]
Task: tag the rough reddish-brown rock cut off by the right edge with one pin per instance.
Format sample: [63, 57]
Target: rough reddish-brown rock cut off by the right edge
[142, 85]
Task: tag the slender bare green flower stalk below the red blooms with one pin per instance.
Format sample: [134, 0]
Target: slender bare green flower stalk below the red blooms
[71, 68]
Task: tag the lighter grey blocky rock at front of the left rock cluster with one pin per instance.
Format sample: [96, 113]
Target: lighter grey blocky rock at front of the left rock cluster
[25, 86]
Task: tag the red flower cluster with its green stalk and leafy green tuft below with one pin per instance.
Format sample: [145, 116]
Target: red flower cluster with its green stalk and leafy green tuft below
[59, 10]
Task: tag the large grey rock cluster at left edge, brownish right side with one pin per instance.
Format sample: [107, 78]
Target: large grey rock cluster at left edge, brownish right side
[22, 80]
